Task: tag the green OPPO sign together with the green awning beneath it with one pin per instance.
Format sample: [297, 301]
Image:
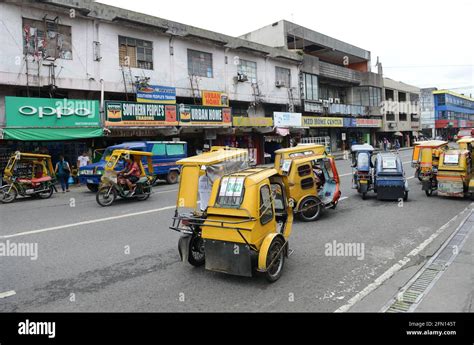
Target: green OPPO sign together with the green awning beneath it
[51, 118]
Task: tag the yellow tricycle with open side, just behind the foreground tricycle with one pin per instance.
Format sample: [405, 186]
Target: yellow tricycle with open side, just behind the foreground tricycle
[312, 177]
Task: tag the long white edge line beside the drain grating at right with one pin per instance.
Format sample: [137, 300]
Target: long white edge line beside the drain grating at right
[395, 268]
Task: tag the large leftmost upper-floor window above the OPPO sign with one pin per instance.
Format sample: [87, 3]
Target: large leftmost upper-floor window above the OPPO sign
[47, 39]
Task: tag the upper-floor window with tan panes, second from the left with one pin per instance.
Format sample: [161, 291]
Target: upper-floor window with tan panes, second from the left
[135, 53]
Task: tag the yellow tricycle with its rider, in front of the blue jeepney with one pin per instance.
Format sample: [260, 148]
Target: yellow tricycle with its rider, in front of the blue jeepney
[117, 181]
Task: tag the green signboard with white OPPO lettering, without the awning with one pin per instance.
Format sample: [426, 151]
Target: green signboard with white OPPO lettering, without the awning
[29, 112]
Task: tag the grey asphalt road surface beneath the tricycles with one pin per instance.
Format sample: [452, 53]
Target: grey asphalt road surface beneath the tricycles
[125, 258]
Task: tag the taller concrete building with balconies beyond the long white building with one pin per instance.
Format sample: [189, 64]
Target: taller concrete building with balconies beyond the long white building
[336, 83]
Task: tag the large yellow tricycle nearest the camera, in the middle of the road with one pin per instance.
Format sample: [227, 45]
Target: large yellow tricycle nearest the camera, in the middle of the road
[246, 225]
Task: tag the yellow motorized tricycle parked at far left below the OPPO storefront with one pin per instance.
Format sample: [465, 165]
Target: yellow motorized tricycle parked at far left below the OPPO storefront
[28, 174]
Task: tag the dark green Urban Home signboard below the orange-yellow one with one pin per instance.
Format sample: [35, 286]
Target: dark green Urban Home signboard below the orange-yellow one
[196, 115]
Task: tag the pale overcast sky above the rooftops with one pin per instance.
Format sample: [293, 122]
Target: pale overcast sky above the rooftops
[420, 42]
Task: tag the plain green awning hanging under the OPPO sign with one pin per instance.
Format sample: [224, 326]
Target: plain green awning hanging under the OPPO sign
[40, 134]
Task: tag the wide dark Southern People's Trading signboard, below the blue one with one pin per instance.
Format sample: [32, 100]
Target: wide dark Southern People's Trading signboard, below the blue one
[132, 114]
